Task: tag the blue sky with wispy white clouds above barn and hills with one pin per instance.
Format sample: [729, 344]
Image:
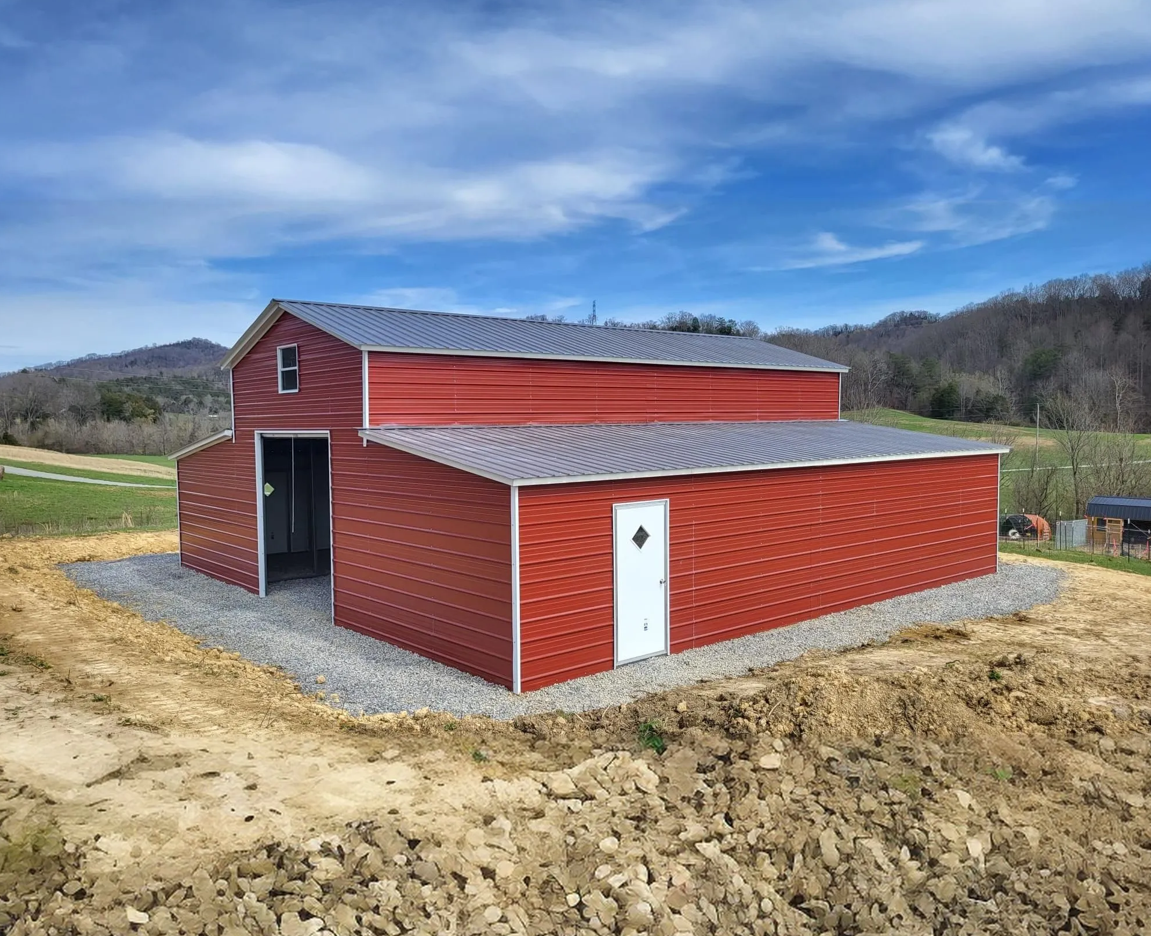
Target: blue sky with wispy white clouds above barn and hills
[166, 169]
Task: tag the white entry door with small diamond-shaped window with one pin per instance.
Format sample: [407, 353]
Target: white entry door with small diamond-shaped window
[642, 581]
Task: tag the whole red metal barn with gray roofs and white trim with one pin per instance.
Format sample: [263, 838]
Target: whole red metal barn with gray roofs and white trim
[536, 501]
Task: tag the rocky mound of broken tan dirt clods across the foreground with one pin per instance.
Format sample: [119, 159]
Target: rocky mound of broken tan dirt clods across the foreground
[719, 835]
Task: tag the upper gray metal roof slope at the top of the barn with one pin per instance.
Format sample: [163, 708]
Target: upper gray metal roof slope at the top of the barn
[409, 330]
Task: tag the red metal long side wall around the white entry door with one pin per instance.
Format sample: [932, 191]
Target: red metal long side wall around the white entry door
[750, 551]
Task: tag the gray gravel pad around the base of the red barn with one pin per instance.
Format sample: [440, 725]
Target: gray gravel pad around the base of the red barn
[292, 629]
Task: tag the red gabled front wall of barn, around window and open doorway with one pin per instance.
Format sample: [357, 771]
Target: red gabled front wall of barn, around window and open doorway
[422, 553]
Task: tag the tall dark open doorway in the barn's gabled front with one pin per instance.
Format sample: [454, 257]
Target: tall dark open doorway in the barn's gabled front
[296, 507]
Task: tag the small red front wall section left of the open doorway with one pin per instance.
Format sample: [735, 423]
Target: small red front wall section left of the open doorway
[218, 516]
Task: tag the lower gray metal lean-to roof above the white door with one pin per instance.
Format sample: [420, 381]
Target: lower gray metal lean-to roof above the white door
[569, 453]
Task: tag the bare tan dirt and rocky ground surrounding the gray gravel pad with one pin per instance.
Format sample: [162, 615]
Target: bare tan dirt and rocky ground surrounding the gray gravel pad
[988, 780]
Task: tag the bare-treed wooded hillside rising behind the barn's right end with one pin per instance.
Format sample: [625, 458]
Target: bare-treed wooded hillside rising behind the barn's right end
[1081, 344]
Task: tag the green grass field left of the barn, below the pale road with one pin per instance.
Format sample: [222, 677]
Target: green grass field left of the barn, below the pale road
[36, 507]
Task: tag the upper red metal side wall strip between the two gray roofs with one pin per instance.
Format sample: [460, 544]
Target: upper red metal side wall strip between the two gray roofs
[428, 390]
